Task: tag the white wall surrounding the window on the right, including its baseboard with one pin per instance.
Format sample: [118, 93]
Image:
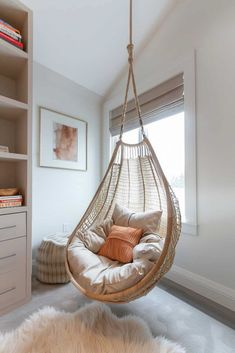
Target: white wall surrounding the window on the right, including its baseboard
[204, 263]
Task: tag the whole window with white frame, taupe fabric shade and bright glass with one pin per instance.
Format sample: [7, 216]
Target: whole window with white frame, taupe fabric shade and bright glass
[168, 112]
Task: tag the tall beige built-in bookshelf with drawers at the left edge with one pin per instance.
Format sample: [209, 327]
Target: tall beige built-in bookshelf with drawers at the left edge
[15, 165]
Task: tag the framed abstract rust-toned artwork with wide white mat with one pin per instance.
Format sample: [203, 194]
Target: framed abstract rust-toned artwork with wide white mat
[63, 141]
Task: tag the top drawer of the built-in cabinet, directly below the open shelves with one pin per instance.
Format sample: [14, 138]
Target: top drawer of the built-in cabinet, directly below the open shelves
[12, 226]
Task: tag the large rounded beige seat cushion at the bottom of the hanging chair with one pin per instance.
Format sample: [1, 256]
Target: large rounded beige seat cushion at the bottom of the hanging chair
[102, 274]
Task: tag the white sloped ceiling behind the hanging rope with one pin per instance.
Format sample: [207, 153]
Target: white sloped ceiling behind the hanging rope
[85, 40]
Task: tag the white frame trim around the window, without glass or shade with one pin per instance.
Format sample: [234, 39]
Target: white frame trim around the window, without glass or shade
[186, 66]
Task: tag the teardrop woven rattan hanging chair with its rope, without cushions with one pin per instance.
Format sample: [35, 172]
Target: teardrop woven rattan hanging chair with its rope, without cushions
[134, 179]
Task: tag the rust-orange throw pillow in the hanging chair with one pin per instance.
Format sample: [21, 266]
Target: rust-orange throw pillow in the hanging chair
[120, 243]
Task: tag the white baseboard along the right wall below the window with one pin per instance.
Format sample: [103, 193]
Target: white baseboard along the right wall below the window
[207, 288]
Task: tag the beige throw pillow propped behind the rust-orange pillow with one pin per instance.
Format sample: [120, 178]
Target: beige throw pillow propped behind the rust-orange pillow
[148, 221]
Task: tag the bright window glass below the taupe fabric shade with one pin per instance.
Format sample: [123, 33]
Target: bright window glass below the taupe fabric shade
[168, 140]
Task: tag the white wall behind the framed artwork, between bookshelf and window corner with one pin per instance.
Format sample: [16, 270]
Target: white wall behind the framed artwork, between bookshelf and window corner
[61, 196]
